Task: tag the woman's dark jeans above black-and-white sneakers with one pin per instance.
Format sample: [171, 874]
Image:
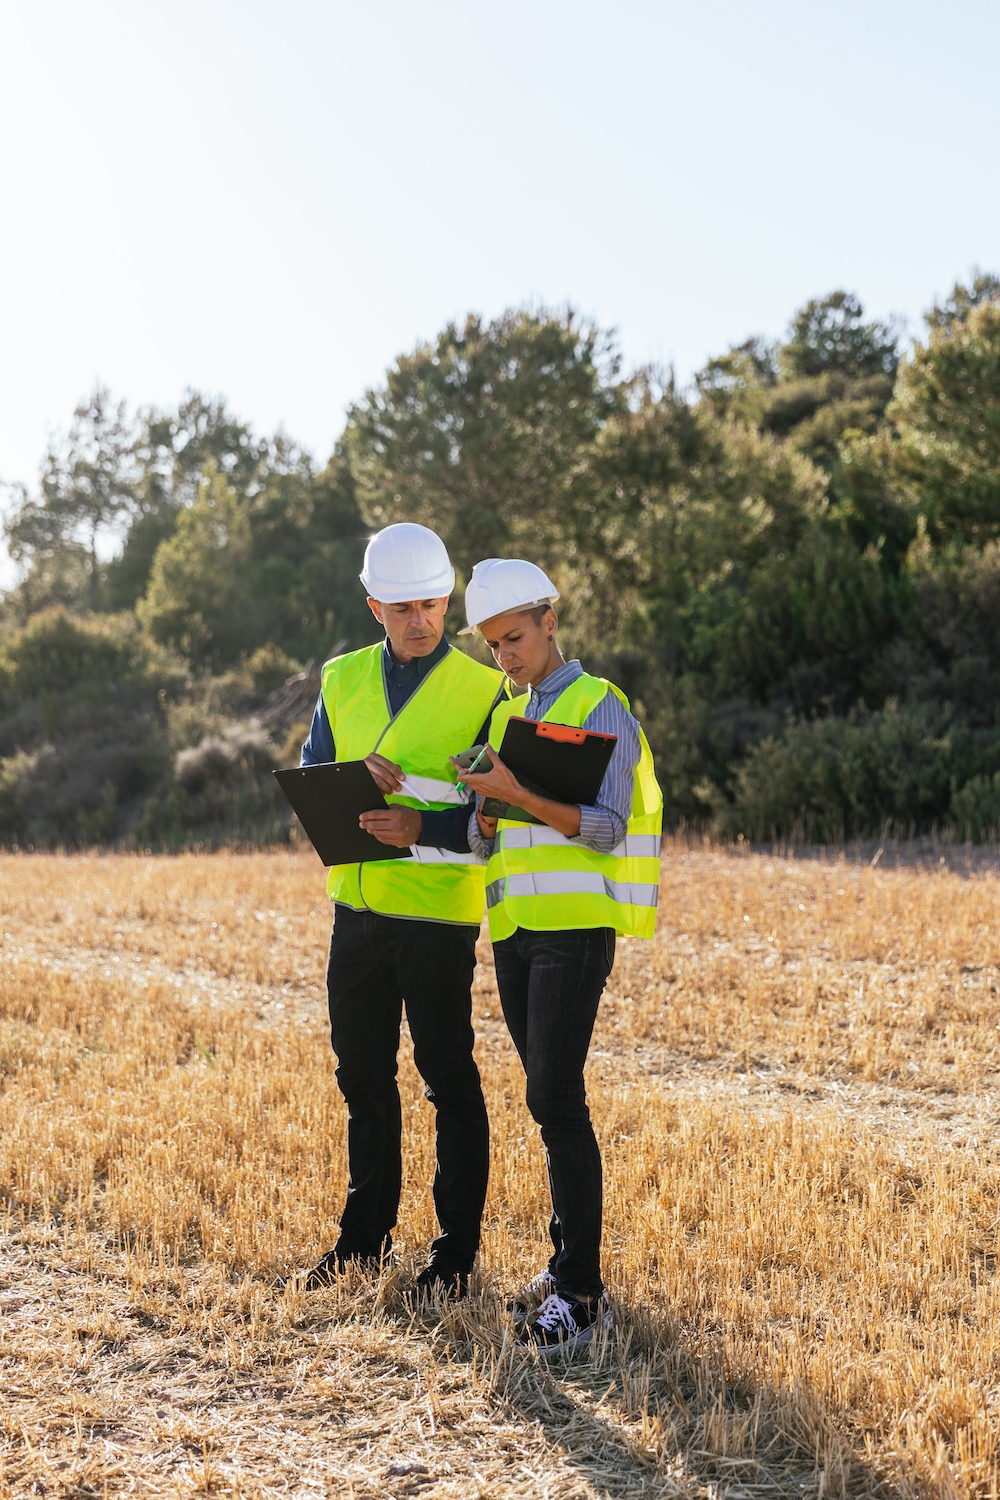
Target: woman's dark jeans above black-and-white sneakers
[551, 986]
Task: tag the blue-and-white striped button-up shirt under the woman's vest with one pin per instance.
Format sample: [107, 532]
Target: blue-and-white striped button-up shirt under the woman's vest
[603, 826]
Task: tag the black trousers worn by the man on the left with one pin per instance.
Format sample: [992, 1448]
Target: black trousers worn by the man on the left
[377, 965]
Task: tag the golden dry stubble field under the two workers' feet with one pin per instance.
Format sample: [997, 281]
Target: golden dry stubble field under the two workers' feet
[797, 1096]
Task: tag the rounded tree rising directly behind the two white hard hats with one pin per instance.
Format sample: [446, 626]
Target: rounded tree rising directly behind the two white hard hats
[485, 436]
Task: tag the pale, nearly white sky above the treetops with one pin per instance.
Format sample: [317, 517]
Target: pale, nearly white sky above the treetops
[272, 202]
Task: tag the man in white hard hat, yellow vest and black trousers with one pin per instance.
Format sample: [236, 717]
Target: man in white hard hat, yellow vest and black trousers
[406, 929]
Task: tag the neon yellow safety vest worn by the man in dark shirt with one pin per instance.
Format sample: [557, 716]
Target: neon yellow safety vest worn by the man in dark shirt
[440, 719]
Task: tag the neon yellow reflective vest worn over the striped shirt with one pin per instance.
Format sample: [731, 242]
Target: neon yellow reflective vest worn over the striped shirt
[537, 878]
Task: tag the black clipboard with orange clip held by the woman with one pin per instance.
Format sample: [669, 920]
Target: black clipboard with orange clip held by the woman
[557, 761]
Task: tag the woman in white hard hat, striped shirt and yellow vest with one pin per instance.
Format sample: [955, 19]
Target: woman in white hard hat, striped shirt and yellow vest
[558, 892]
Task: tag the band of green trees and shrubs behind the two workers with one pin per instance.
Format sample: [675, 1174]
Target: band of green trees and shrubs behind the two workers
[792, 568]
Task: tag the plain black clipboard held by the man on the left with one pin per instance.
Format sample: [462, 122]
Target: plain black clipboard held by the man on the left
[329, 802]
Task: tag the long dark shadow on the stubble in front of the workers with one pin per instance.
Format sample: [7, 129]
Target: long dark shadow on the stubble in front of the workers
[642, 1417]
